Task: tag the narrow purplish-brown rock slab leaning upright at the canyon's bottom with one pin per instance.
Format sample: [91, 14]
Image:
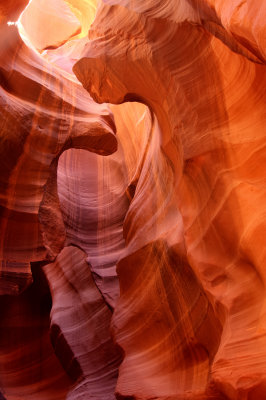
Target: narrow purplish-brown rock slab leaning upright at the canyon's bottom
[80, 320]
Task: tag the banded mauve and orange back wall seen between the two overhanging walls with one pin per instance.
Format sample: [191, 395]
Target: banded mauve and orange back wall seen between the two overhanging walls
[94, 196]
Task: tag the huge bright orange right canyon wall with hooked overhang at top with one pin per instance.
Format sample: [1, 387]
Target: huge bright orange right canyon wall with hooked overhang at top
[198, 65]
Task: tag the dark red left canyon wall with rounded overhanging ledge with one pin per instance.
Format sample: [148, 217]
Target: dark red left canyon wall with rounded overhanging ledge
[44, 111]
